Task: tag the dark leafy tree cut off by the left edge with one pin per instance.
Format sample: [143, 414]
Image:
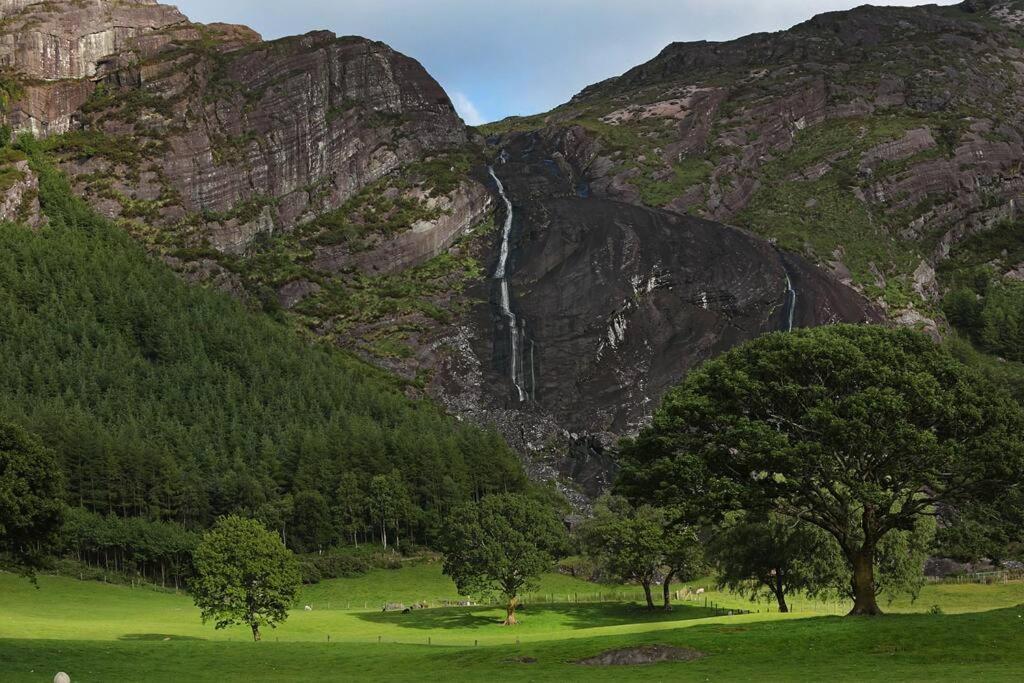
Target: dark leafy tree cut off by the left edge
[31, 507]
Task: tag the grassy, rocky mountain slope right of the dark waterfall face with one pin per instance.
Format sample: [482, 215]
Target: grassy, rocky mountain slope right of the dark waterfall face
[869, 141]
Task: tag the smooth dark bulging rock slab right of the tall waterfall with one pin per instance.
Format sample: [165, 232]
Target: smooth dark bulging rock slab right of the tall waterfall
[619, 302]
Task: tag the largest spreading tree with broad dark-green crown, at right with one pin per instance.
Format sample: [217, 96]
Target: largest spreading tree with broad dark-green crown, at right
[859, 431]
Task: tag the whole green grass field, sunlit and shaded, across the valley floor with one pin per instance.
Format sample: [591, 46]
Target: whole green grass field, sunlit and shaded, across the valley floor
[113, 633]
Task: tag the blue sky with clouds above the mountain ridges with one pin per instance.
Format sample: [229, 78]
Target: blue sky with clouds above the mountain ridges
[497, 59]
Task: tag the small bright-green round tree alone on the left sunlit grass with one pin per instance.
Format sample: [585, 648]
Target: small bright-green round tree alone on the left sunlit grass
[244, 575]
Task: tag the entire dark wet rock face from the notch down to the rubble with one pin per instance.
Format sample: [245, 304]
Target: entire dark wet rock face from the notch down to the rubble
[615, 304]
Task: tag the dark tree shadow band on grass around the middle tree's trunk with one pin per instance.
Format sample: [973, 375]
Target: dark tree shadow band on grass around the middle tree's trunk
[572, 616]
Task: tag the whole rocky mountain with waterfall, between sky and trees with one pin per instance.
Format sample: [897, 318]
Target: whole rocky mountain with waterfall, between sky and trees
[548, 276]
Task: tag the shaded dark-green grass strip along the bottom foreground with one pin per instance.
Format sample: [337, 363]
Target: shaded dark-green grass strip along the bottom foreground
[906, 648]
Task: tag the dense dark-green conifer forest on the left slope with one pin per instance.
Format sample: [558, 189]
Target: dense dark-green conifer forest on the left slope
[176, 405]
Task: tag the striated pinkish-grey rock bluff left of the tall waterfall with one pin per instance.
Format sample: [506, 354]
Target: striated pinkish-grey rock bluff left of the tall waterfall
[209, 133]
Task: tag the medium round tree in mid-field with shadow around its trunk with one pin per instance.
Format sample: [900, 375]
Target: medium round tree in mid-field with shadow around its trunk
[502, 545]
